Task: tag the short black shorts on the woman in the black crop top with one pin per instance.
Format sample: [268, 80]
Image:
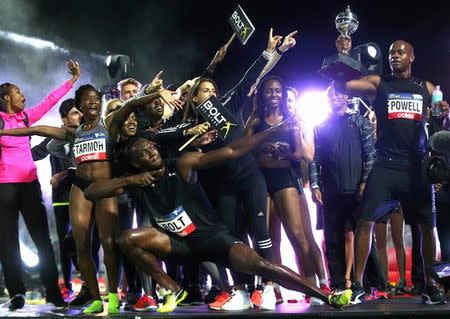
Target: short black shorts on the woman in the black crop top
[280, 178]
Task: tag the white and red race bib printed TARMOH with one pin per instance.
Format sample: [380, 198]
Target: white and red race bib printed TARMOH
[90, 148]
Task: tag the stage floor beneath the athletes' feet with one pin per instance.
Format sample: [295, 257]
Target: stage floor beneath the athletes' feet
[390, 308]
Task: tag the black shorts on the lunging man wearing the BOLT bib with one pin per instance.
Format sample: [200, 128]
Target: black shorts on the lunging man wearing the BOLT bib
[205, 244]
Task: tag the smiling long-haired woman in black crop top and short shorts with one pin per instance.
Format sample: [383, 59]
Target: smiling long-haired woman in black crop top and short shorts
[275, 158]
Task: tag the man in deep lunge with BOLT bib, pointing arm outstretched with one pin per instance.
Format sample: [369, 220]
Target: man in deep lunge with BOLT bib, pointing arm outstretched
[185, 226]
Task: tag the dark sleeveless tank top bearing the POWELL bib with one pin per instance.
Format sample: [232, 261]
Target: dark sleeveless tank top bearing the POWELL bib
[400, 106]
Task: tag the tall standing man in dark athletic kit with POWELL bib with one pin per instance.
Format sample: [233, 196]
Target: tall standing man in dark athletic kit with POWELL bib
[398, 175]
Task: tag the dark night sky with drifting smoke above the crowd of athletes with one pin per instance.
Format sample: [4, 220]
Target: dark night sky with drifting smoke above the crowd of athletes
[181, 37]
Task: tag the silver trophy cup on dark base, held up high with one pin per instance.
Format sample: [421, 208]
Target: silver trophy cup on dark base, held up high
[342, 66]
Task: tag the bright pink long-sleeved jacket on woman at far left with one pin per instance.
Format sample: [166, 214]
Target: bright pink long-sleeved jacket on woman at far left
[16, 163]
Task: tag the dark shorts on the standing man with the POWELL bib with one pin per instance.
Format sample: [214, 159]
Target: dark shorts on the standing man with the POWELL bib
[386, 187]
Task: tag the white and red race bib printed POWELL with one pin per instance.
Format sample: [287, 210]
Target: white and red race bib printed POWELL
[405, 106]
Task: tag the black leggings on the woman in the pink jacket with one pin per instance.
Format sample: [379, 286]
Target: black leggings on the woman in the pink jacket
[26, 198]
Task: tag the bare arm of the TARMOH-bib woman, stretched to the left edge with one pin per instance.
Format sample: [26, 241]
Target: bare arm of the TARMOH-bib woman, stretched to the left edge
[59, 133]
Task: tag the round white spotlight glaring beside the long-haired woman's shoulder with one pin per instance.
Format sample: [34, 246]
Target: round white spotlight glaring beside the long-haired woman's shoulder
[313, 108]
